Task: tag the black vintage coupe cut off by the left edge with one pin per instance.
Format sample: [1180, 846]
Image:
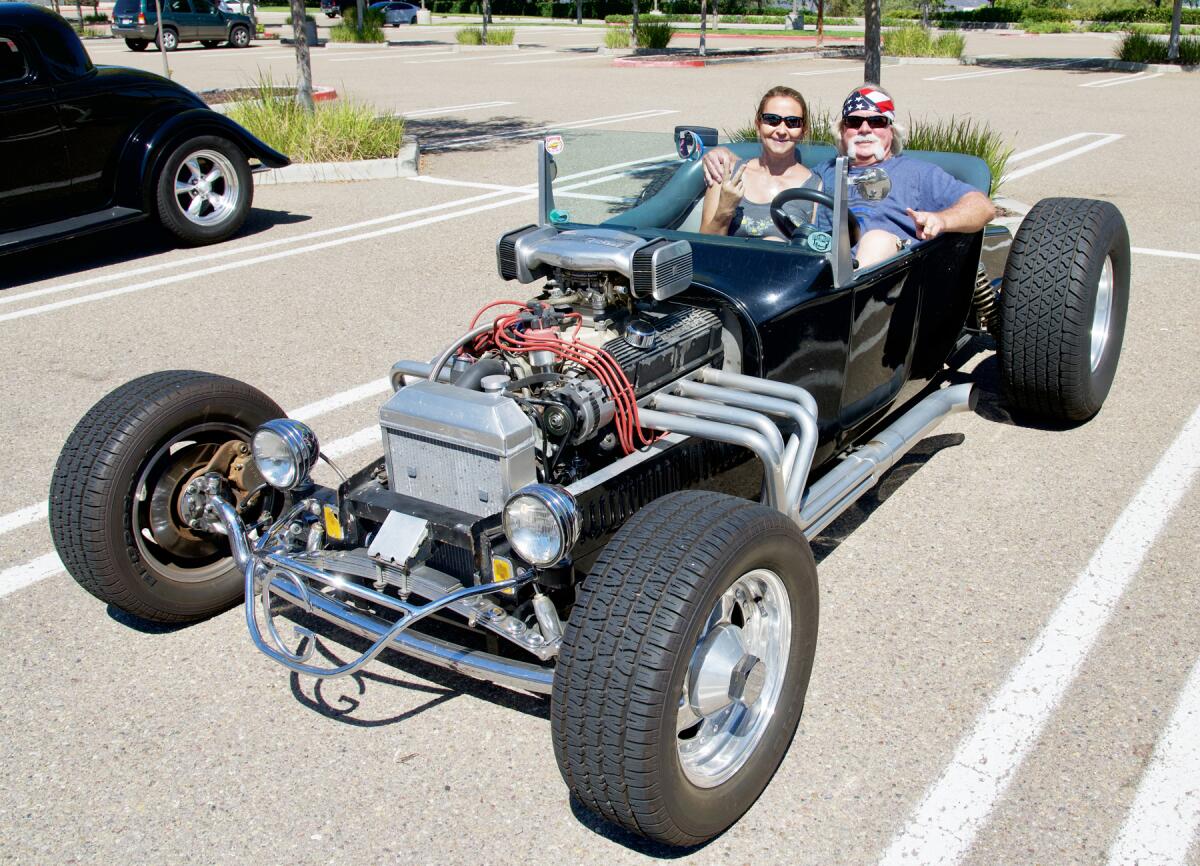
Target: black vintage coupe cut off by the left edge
[86, 147]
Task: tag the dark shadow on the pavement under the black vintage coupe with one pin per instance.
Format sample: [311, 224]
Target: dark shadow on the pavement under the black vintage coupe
[117, 246]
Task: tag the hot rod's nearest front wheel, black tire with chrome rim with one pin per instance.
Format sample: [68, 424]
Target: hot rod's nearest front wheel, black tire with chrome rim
[685, 666]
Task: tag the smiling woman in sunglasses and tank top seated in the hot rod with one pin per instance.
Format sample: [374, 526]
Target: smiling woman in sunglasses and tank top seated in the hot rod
[741, 206]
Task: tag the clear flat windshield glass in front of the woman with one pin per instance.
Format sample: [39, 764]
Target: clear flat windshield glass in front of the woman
[603, 175]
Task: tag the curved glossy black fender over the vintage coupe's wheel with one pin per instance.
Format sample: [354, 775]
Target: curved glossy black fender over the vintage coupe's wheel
[151, 146]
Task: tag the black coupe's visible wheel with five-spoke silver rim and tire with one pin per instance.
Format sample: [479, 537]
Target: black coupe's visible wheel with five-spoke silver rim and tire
[205, 190]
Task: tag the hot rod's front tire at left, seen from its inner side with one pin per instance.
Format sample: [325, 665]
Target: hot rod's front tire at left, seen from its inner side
[115, 495]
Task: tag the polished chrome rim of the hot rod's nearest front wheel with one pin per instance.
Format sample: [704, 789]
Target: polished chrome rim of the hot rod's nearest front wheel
[735, 679]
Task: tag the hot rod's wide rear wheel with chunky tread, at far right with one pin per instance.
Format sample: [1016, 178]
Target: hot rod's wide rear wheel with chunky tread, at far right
[1064, 306]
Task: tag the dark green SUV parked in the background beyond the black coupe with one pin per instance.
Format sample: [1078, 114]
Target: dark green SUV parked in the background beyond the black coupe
[183, 21]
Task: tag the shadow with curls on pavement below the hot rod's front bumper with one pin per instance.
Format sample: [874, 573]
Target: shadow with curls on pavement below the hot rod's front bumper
[352, 706]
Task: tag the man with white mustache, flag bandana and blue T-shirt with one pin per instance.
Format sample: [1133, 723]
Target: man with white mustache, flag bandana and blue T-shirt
[925, 201]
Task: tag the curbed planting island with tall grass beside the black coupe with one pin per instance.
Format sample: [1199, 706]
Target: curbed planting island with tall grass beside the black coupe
[340, 141]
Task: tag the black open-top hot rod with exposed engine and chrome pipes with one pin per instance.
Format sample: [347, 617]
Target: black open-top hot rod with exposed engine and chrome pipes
[605, 494]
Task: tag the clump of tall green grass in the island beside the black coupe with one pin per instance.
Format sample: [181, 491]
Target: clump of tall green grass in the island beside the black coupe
[335, 133]
